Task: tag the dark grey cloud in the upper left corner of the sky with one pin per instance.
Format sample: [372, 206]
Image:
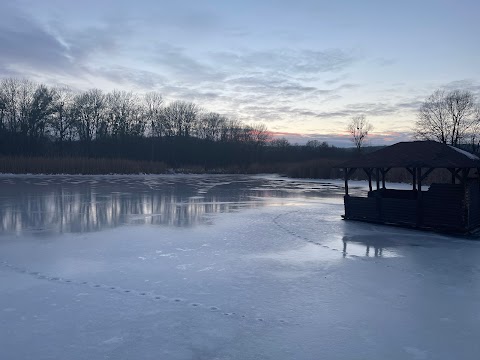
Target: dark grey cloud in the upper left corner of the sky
[31, 48]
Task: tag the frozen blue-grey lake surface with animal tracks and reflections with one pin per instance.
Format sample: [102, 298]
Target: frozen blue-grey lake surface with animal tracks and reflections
[223, 267]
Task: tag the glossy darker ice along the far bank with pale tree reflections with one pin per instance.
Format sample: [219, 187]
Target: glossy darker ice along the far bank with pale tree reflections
[62, 204]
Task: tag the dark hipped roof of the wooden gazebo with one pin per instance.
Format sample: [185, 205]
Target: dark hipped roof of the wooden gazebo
[428, 154]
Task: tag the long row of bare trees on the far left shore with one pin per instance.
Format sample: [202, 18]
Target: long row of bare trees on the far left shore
[38, 120]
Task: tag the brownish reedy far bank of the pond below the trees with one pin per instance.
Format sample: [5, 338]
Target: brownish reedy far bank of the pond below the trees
[323, 168]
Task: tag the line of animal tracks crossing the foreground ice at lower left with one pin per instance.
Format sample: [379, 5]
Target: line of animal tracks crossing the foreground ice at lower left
[131, 292]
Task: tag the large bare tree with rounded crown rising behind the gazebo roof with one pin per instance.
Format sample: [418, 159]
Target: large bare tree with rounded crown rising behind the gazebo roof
[449, 118]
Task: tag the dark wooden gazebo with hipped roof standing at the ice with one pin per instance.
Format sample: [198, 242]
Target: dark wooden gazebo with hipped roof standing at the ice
[452, 206]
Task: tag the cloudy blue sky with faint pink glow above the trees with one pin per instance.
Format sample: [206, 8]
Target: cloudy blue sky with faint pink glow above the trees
[304, 68]
